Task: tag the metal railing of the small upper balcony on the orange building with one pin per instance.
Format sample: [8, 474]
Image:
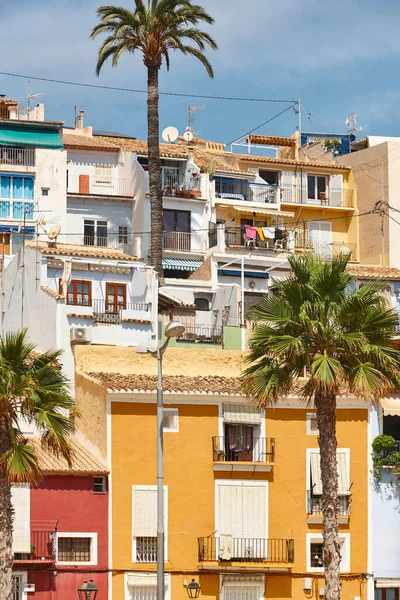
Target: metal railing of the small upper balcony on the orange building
[253, 449]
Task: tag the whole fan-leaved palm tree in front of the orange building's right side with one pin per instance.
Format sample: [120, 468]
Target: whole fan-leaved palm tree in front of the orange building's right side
[316, 324]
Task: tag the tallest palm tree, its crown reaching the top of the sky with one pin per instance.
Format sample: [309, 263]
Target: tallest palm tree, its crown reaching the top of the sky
[154, 30]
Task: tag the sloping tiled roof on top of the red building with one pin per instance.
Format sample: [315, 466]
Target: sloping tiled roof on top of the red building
[83, 462]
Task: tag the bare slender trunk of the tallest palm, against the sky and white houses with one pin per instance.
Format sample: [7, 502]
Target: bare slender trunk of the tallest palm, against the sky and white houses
[156, 208]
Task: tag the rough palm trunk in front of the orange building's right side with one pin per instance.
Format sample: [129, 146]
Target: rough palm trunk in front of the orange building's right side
[326, 418]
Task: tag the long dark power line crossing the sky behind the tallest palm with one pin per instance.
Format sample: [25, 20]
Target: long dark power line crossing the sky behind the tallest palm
[137, 91]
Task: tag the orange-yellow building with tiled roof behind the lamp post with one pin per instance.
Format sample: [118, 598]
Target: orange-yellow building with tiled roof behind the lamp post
[242, 486]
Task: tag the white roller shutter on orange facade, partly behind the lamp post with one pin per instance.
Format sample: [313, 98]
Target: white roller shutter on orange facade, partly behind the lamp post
[144, 511]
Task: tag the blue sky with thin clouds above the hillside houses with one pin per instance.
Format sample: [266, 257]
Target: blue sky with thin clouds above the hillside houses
[338, 57]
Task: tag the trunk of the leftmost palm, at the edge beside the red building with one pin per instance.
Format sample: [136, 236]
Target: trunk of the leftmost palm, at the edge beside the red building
[6, 514]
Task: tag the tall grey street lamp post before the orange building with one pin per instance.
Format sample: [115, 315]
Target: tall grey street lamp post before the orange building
[173, 329]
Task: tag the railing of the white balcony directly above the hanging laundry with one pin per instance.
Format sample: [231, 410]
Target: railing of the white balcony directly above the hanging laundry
[246, 190]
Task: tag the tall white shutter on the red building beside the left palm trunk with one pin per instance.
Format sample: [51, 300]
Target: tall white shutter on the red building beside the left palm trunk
[20, 499]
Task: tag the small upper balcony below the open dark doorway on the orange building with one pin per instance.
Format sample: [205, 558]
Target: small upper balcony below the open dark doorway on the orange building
[254, 454]
